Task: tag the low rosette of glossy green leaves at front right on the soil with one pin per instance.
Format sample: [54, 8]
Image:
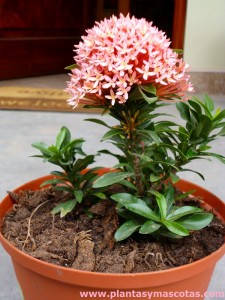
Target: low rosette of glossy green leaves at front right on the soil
[162, 217]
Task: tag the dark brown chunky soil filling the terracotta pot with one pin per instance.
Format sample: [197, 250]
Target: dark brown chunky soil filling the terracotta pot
[86, 243]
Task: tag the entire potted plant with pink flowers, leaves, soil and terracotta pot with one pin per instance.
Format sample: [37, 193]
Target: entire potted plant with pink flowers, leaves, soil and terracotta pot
[129, 225]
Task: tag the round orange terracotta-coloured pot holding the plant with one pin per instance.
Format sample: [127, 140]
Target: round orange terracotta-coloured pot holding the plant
[40, 280]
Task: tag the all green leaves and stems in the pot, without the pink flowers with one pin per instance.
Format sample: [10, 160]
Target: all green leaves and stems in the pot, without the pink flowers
[153, 150]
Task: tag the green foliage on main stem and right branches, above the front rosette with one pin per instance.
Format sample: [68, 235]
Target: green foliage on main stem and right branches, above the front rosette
[154, 150]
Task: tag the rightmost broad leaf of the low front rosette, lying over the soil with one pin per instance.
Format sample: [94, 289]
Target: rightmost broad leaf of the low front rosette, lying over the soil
[196, 221]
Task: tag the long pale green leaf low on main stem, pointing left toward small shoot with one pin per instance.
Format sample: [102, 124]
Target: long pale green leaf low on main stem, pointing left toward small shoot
[110, 178]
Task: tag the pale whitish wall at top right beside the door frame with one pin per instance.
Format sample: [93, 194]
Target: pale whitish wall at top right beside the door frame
[204, 44]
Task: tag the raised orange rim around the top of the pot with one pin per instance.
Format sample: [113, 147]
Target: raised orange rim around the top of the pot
[69, 275]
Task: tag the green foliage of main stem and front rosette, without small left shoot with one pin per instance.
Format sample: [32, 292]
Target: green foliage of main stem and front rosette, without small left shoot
[154, 151]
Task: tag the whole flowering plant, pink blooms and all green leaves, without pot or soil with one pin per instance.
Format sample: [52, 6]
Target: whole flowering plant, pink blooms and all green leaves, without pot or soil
[126, 67]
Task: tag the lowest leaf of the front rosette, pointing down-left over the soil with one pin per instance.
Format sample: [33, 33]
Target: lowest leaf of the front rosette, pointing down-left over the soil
[126, 230]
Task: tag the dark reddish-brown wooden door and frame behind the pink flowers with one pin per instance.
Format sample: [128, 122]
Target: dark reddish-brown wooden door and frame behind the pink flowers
[37, 36]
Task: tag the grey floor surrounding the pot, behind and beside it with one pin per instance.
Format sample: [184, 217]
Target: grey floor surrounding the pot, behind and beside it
[20, 128]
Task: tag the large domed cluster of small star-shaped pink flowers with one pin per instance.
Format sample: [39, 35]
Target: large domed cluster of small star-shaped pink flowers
[120, 53]
